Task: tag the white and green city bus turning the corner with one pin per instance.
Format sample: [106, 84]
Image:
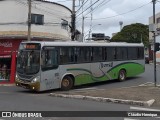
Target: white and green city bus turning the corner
[50, 65]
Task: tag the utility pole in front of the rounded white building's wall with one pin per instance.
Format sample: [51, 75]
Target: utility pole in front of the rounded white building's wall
[29, 20]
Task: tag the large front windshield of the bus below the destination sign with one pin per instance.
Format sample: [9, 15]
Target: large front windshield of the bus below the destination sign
[28, 61]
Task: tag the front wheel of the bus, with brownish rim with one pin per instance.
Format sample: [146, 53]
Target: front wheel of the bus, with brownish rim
[67, 83]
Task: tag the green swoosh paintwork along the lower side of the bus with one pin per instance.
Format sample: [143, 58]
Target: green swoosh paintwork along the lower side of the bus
[131, 68]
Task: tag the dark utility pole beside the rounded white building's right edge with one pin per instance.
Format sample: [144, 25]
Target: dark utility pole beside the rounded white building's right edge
[73, 21]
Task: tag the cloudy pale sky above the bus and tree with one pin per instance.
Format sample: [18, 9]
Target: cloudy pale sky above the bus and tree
[107, 14]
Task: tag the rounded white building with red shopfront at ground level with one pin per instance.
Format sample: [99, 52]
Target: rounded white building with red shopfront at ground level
[50, 21]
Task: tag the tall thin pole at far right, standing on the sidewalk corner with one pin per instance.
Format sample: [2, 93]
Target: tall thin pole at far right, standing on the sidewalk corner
[154, 50]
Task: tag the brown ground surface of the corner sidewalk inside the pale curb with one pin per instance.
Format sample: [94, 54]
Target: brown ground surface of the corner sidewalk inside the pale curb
[139, 93]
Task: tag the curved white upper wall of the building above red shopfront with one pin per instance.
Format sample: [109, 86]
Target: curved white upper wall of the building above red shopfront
[14, 17]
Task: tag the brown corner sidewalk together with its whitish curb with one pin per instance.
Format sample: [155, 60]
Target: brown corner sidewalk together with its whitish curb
[145, 95]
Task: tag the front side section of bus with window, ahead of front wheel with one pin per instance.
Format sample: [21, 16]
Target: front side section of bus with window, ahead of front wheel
[50, 70]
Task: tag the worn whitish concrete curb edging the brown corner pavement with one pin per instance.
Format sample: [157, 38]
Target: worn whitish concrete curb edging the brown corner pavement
[102, 99]
